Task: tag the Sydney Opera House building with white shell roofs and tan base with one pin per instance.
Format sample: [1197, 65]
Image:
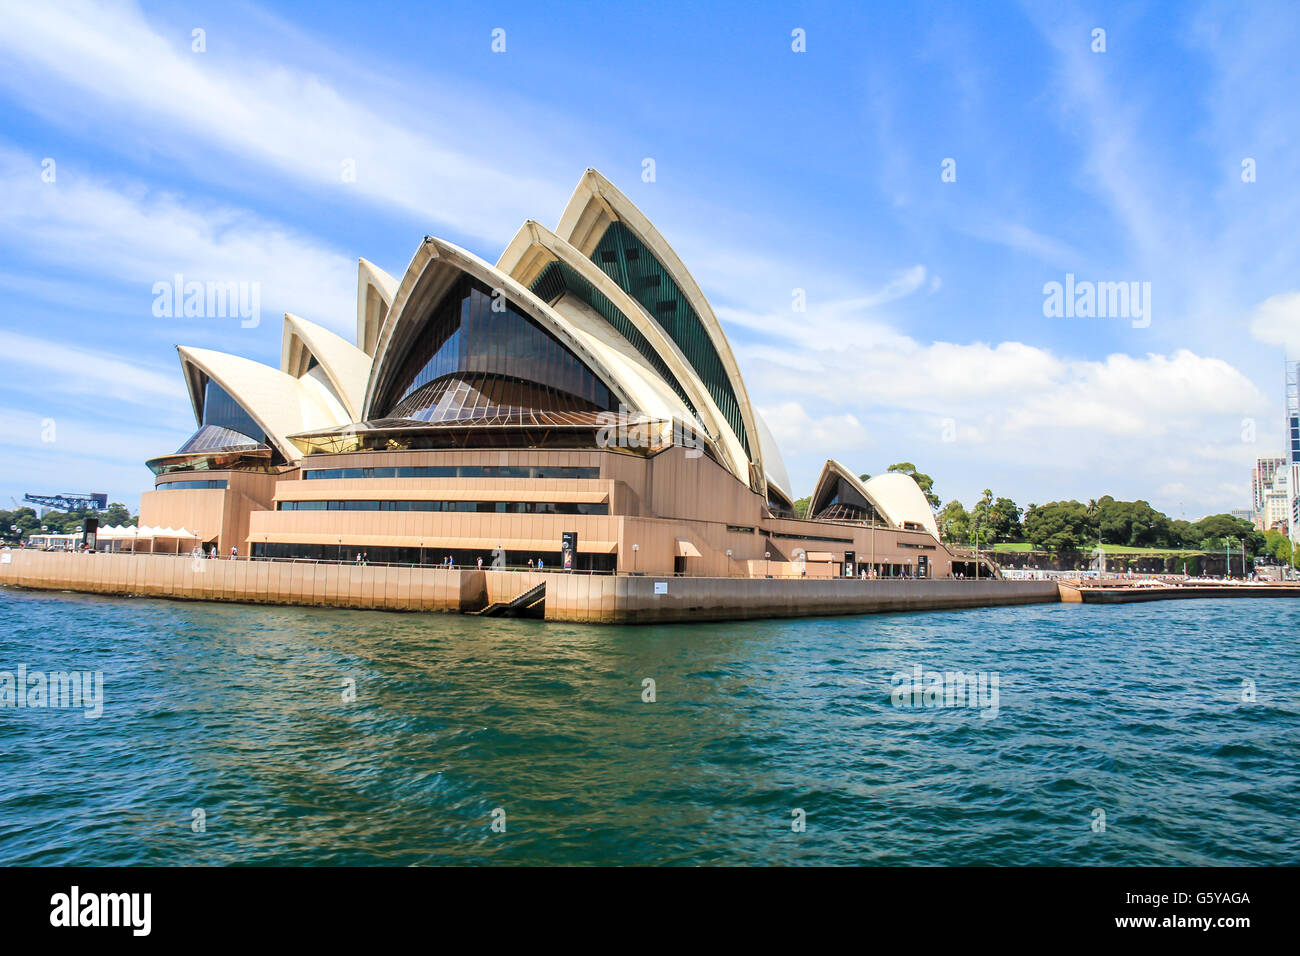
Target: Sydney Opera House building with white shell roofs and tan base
[575, 405]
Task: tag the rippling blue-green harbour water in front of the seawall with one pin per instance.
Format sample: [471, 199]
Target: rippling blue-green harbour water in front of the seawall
[1123, 736]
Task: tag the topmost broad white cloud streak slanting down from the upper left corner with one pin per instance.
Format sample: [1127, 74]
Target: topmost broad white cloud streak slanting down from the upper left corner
[471, 176]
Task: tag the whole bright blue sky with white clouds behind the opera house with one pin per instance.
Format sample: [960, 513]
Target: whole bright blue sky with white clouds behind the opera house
[925, 336]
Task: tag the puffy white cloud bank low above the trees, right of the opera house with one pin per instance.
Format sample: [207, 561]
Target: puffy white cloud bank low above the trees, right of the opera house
[1021, 418]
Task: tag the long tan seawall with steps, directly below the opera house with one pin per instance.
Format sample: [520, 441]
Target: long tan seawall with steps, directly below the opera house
[574, 598]
